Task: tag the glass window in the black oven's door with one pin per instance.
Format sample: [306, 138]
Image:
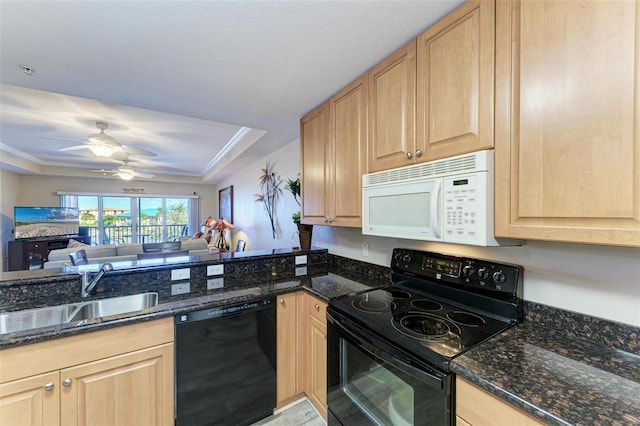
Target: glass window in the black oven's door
[379, 393]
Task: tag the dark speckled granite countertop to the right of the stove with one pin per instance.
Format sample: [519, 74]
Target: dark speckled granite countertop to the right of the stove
[557, 377]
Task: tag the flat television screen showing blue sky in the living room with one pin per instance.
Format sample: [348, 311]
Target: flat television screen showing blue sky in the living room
[38, 222]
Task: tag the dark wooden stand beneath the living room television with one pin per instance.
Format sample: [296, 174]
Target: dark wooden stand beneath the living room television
[32, 253]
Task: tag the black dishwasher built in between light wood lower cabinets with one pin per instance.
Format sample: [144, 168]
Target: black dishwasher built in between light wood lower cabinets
[226, 364]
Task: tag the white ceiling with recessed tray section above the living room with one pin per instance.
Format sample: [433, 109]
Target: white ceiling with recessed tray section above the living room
[183, 79]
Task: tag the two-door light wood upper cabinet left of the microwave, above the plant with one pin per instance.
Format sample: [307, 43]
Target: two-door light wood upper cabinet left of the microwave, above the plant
[333, 142]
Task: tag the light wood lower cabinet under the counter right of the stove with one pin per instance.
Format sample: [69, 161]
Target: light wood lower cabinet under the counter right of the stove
[476, 407]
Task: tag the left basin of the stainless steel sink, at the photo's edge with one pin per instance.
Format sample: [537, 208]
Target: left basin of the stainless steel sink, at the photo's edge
[34, 318]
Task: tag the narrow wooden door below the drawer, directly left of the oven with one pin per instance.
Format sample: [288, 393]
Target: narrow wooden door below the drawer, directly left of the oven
[318, 370]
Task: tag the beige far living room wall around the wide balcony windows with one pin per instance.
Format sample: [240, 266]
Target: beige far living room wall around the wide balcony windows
[26, 190]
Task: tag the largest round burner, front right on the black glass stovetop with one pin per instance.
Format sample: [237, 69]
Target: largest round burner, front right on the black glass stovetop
[425, 326]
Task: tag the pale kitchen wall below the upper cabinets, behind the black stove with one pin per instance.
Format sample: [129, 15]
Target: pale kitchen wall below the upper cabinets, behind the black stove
[600, 281]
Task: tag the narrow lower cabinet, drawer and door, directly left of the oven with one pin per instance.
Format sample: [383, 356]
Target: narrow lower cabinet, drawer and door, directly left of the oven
[312, 364]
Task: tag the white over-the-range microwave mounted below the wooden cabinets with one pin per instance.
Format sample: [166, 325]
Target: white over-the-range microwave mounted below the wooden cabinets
[448, 200]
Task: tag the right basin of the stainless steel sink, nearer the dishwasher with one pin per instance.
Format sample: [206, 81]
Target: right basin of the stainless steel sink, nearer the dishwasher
[115, 306]
